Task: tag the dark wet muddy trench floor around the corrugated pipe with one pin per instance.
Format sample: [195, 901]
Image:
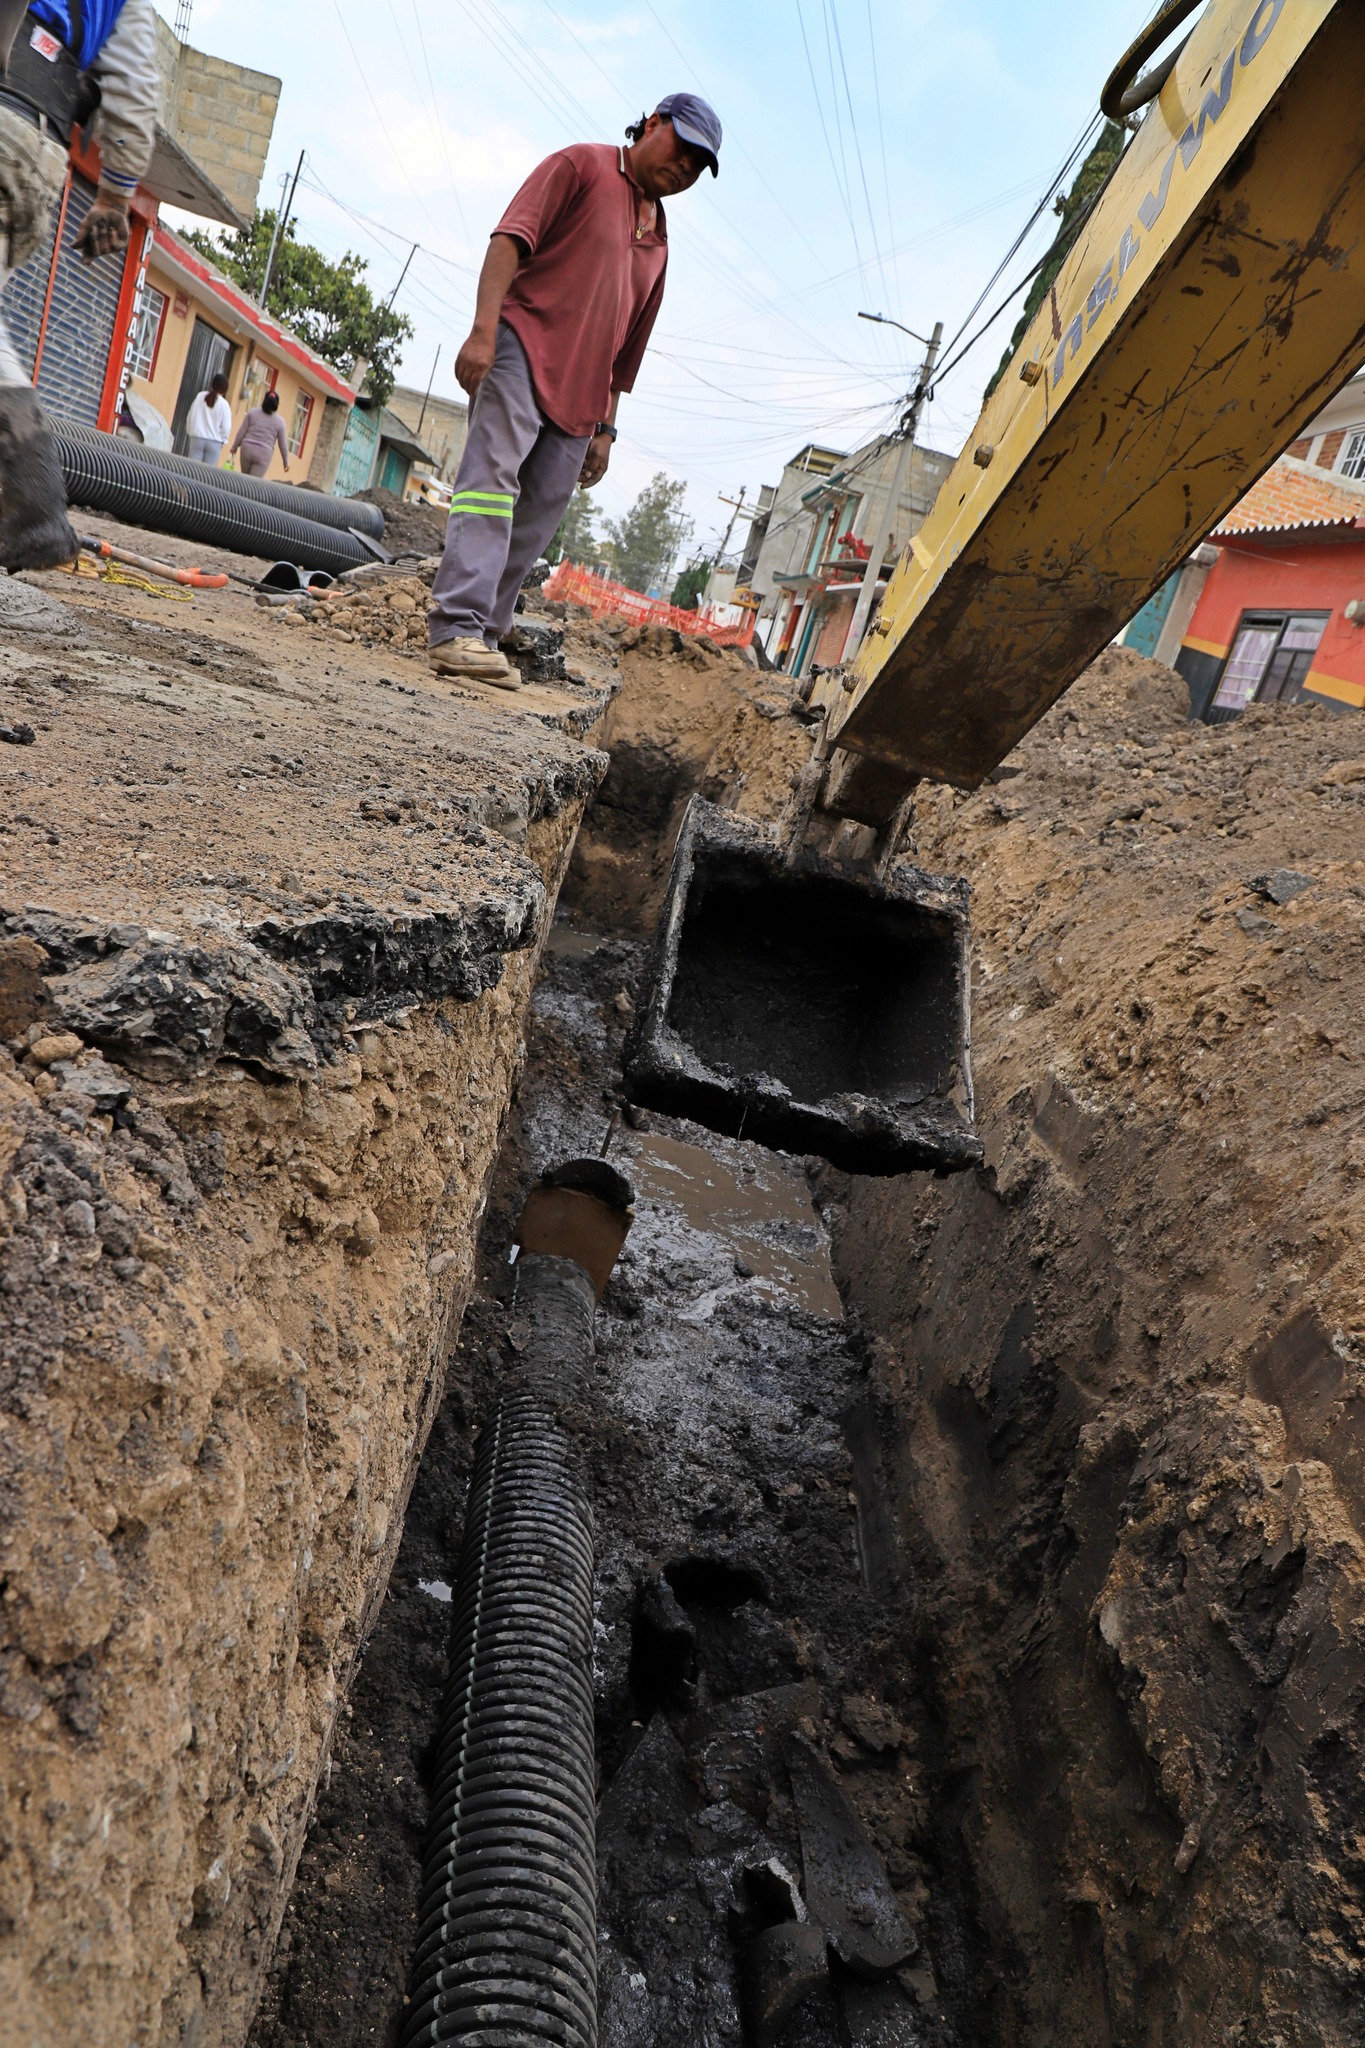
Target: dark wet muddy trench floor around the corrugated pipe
[752, 1609]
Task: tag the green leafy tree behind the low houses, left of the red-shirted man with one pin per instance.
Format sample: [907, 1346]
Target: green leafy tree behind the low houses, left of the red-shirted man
[326, 304]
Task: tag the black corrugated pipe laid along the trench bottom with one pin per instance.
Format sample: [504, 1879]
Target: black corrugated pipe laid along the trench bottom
[509, 1916]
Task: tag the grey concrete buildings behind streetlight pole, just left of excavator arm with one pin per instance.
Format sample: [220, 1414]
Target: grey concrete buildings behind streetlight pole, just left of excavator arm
[809, 544]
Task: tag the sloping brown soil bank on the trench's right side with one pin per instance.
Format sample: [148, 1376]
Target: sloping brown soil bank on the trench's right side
[1122, 1373]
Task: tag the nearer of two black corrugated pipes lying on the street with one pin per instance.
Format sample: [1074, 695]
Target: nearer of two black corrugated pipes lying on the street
[105, 478]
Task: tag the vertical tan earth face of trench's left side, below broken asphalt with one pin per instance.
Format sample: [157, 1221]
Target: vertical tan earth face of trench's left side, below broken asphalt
[226, 1302]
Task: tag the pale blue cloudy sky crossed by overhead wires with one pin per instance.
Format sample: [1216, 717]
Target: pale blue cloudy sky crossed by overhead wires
[879, 157]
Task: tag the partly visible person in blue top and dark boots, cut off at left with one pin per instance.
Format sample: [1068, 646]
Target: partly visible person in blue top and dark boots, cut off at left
[62, 65]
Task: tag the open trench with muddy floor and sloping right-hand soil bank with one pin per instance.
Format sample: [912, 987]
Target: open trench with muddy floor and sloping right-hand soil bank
[1006, 1527]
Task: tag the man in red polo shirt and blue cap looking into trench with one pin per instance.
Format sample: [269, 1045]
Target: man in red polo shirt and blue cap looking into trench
[568, 300]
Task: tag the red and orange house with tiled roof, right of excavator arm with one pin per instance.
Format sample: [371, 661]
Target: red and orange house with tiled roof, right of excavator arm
[1274, 603]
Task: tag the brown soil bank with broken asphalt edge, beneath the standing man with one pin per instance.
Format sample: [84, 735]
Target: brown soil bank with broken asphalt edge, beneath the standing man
[269, 921]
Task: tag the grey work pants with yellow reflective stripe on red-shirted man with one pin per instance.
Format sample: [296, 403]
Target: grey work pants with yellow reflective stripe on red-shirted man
[517, 478]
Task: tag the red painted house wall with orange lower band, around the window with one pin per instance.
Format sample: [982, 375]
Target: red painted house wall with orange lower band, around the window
[1303, 577]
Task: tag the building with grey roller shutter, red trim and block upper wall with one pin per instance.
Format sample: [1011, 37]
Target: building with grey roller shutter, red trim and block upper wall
[79, 327]
